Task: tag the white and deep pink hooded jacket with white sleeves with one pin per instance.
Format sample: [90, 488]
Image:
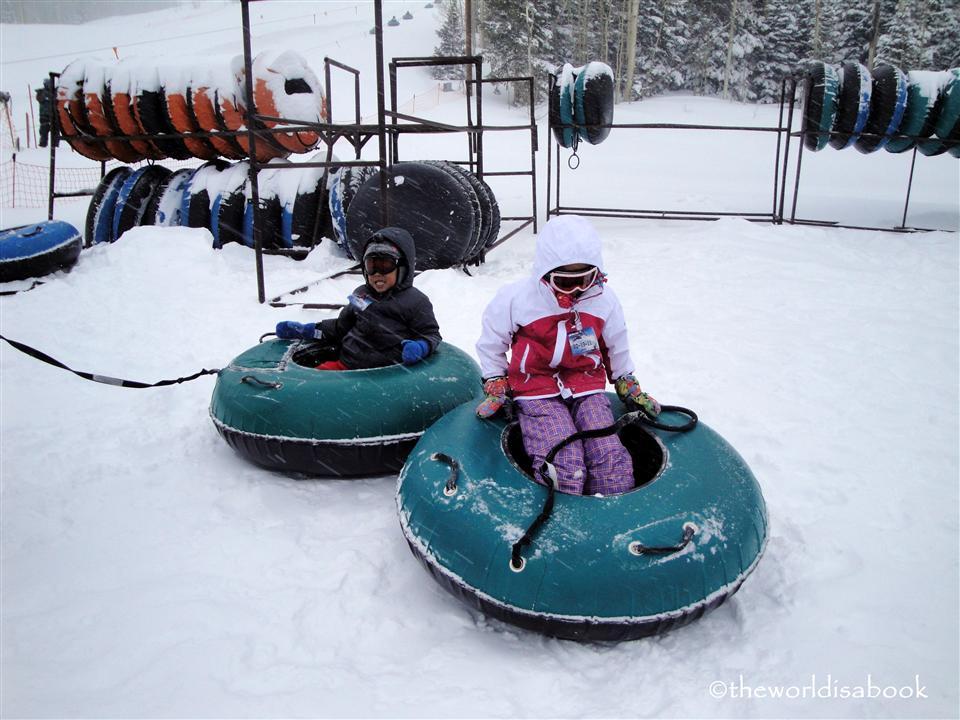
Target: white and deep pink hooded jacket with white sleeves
[551, 351]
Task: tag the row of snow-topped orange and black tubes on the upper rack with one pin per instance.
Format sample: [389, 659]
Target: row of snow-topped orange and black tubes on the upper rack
[102, 108]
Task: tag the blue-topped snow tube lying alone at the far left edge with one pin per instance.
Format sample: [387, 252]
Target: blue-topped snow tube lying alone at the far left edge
[37, 250]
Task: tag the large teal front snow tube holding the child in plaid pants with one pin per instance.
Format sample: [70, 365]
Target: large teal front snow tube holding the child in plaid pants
[600, 568]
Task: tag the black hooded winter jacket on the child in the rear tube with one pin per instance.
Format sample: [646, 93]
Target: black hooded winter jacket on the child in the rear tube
[370, 329]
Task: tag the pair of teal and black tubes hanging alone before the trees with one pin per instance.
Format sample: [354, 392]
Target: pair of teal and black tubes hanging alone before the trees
[581, 104]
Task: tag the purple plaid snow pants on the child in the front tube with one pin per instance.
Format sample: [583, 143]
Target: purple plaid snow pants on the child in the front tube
[585, 467]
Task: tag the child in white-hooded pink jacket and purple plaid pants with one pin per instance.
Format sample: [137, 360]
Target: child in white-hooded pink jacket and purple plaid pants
[566, 337]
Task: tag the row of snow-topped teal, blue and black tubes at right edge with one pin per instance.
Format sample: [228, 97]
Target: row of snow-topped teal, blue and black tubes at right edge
[851, 106]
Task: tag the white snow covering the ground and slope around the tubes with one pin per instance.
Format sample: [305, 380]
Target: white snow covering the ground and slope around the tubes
[148, 571]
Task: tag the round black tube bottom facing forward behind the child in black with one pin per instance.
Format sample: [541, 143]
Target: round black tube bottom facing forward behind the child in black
[425, 201]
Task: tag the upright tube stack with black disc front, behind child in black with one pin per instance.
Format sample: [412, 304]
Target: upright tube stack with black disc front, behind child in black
[451, 214]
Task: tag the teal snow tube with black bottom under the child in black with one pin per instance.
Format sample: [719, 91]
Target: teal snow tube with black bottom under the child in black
[277, 411]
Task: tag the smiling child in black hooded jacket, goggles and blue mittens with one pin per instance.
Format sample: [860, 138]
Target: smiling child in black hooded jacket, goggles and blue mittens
[387, 320]
